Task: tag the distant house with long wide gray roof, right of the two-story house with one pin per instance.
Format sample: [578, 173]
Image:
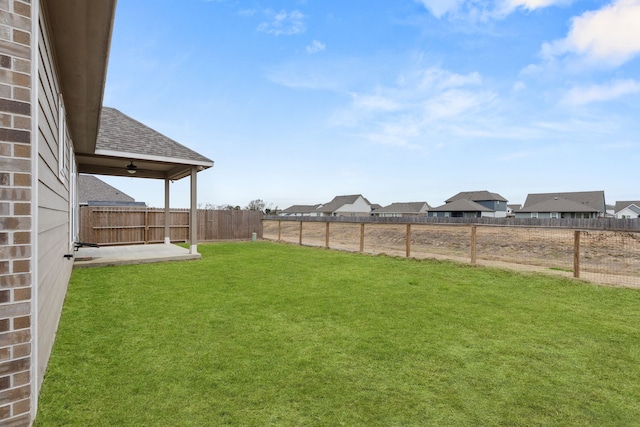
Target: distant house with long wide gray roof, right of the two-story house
[584, 204]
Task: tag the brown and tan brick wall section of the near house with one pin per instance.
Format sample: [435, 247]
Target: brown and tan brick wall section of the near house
[16, 210]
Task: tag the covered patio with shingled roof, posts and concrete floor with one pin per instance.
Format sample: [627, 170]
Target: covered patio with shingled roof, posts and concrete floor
[126, 147]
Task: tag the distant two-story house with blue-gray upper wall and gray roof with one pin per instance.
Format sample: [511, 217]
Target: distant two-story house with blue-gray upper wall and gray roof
[472, 204]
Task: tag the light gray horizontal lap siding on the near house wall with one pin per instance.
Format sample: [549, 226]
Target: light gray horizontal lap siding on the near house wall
[54, 270]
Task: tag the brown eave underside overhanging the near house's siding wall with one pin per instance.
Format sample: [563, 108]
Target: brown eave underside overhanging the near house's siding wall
[81, 36]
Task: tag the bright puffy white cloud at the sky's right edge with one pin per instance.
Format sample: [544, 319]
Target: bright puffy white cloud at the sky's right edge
[609, 36]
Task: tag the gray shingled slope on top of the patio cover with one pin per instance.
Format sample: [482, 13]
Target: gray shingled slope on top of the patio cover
[119, 132]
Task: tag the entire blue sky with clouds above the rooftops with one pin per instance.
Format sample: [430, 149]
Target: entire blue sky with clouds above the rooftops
[403, 100]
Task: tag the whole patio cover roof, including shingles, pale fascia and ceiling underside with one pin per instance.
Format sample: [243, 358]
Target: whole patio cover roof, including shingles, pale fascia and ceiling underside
[123, 139]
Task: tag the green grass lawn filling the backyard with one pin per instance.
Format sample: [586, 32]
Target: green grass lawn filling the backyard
[261, 334]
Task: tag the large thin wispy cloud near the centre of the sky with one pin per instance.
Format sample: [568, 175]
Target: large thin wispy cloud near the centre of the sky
[422, 105]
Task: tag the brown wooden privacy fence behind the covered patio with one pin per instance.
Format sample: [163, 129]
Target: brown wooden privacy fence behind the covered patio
[129, 225]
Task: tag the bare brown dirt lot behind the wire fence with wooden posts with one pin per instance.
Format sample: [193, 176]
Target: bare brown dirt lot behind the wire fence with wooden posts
[606, 257]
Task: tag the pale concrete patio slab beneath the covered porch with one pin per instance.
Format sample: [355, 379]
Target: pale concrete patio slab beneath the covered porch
[132, 254]
